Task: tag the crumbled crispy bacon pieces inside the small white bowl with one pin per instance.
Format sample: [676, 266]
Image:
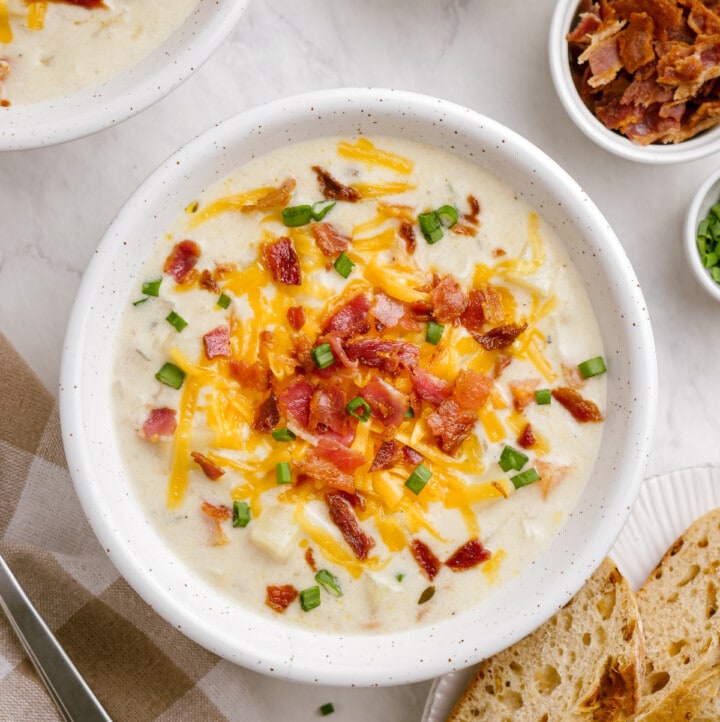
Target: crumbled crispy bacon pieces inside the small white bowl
[647, 68]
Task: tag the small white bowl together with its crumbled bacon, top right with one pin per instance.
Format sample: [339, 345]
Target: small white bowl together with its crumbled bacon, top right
[638, 78]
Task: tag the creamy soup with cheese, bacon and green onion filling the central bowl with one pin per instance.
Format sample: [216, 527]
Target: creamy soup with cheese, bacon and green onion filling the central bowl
[359, 385]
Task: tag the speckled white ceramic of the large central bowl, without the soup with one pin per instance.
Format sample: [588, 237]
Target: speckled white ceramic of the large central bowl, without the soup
[270, 646]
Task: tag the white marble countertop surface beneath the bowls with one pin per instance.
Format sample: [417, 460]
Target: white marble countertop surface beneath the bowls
[55, 203]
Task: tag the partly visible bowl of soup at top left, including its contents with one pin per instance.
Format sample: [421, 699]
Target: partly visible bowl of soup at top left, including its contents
[68, 69]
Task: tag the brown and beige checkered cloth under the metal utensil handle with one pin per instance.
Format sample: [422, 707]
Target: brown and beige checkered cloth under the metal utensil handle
[138, 665]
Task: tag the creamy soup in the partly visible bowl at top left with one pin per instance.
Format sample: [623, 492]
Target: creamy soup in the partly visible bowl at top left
[51, 48]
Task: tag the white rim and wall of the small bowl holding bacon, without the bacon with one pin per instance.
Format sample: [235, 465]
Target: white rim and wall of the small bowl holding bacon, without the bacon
[700, 146]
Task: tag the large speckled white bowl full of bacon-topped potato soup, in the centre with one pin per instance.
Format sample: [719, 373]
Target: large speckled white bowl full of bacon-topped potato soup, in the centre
[358, 388]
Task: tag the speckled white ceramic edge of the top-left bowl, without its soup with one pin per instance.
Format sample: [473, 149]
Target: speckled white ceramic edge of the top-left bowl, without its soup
[87, 111]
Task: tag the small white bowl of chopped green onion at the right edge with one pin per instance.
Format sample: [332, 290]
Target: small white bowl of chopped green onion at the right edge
[702, 235]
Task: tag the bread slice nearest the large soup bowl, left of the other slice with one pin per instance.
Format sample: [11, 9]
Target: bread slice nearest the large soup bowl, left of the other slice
[584, 664]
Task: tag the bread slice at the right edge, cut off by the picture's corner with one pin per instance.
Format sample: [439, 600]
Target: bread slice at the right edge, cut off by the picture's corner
[678, 605]
